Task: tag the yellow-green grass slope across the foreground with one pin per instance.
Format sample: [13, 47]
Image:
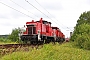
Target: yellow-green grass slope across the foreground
[64, 51]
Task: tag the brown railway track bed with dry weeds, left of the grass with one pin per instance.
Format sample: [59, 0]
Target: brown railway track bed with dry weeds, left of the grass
[10, 48]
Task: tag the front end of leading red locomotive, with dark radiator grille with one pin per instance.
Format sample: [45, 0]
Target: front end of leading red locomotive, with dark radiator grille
[32, 33]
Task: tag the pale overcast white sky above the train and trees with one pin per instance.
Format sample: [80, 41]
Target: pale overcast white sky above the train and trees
[64, 13]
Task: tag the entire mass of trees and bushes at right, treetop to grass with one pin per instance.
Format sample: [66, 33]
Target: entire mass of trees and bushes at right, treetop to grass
[81, 34]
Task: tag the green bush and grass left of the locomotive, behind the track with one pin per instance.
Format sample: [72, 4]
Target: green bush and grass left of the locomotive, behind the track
[13, 37]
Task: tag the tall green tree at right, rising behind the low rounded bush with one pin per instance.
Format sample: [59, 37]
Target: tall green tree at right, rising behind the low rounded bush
[83, 20]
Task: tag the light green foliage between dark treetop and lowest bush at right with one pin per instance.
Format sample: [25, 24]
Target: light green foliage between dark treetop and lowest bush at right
[81, 30]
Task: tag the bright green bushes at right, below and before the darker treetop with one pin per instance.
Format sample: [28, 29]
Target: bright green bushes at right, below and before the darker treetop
[81, 36]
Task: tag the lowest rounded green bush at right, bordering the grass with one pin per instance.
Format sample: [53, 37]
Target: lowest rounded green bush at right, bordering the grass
[82, 41]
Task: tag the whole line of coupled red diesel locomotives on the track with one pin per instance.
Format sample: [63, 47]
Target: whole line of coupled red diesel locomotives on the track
[42, 32]
